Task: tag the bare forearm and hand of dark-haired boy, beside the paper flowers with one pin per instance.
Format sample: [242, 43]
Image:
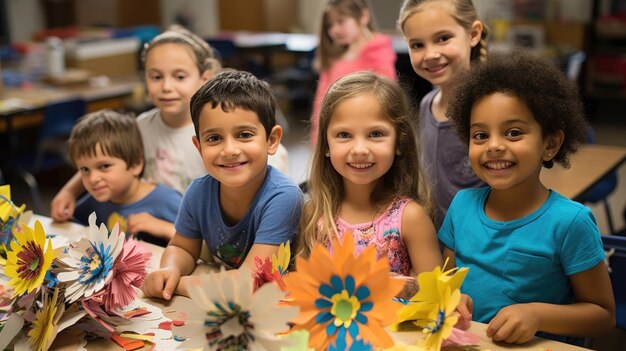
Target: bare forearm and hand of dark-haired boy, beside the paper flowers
[179, 259]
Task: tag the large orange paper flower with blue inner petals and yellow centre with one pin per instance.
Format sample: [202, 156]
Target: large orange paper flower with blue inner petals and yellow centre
[345, 300]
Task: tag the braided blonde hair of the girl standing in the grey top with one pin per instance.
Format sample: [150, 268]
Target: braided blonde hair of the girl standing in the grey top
[463, 12]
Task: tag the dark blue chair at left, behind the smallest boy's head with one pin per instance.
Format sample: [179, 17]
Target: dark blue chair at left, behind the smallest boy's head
[51, 149]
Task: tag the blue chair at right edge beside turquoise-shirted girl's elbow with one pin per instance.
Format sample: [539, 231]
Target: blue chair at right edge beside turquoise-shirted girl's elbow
[616, 257]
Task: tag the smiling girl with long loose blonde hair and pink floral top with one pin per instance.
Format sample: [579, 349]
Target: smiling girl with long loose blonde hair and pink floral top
[365, 177]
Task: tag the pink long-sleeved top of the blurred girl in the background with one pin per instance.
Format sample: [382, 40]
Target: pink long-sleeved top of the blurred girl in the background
[377, 56]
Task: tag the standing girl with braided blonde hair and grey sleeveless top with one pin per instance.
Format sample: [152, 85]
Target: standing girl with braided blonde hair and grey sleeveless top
[444, 37]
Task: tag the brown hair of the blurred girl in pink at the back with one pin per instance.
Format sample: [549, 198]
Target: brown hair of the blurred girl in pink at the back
[327, 51]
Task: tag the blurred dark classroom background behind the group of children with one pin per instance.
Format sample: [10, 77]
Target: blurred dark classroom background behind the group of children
[275, 39]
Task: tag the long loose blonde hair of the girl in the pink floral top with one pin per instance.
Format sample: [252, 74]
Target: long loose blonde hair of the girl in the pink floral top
[326, 191]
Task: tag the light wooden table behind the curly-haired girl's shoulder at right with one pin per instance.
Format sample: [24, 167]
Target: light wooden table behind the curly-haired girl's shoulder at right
[588, 166]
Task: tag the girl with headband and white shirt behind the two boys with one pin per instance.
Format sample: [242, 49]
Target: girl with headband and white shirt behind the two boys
[176, 63]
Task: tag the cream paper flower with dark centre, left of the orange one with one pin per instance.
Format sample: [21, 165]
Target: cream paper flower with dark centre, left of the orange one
[238, 318]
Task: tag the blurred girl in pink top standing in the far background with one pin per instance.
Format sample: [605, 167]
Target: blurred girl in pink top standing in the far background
[348, 44]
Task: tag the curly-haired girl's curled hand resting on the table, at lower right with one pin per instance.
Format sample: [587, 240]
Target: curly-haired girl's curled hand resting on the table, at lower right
[513, 324]
